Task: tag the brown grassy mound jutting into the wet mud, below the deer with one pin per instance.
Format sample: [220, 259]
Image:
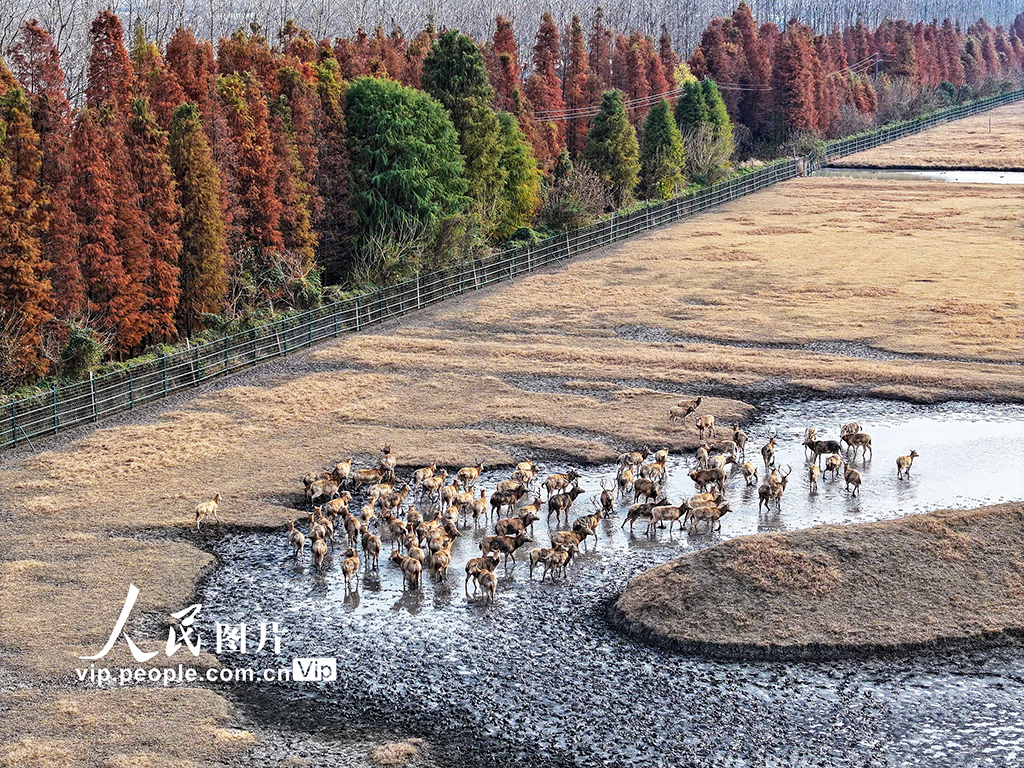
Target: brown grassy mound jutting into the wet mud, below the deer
[946, 578]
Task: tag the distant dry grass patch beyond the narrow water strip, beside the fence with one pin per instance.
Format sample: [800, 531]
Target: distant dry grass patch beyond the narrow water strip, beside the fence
[993, 140]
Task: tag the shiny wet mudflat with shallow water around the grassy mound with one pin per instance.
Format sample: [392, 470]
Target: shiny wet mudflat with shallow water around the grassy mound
[541, 679]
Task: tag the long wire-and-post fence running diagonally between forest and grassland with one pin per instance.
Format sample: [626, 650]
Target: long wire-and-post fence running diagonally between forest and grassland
[71, 406]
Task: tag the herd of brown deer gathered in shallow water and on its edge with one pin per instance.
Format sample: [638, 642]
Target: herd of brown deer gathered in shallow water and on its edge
[423, 517]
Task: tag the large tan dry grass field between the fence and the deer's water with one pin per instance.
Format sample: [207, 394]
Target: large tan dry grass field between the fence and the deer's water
[862, 287]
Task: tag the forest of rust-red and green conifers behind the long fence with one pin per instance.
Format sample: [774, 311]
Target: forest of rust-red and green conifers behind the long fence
[199, 187]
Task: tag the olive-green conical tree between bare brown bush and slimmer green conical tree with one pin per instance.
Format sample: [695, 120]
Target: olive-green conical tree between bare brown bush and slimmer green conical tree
[612, 149]
